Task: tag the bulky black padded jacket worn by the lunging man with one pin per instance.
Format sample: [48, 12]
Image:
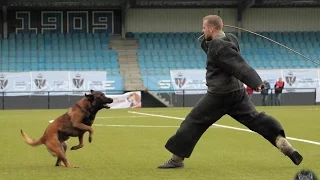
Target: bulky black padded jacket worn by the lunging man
[226, 69]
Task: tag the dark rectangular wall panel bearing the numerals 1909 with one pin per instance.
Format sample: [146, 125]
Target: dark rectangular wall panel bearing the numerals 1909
[66, 20]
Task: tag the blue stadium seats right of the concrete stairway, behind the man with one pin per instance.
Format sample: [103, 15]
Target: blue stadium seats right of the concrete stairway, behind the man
[160, 52]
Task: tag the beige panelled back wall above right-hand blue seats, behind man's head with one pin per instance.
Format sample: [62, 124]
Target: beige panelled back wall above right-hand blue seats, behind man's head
[254, 19]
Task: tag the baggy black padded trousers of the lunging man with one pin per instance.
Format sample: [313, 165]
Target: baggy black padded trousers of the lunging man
[210, 109]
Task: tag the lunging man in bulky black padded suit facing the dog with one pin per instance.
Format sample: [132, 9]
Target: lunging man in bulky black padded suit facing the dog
[227, 72]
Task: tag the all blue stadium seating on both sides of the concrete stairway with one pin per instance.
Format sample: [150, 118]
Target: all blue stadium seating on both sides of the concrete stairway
[157, 53]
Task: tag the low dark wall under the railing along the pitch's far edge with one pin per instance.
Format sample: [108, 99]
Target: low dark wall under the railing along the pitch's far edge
[63, 102]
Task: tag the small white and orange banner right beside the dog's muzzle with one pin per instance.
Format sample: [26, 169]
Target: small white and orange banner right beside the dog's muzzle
[127, 100]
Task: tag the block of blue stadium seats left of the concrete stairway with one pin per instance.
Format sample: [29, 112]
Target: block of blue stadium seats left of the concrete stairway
[58, 52]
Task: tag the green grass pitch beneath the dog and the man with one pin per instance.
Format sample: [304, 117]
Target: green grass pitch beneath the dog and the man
[134, 146]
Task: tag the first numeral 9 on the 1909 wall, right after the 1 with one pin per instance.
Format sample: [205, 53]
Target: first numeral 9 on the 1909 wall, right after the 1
[52, 21]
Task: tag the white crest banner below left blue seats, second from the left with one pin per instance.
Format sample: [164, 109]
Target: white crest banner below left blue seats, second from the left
[56, 82]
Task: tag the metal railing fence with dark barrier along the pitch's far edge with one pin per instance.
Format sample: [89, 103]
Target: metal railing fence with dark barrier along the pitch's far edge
[183, 98]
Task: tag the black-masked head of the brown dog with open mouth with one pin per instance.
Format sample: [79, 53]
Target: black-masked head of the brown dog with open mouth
[99, 100]
